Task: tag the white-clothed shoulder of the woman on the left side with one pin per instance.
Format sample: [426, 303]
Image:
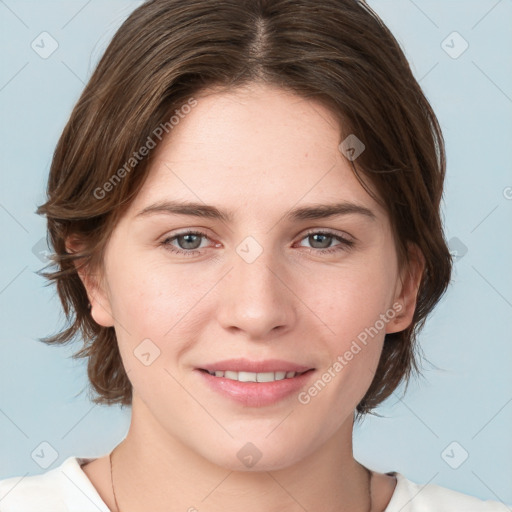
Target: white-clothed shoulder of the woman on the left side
[61, 489]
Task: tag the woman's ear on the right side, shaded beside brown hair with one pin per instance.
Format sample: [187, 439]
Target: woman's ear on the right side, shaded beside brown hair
[407, 290]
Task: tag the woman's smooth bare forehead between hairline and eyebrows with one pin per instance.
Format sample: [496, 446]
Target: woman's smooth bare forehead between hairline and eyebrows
[257, 146]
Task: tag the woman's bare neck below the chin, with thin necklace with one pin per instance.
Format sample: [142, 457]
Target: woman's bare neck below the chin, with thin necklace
[329, 478]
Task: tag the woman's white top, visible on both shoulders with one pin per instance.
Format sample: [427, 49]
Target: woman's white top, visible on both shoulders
[67, 489]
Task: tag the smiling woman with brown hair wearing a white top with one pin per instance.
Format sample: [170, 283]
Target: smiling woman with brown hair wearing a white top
[244, 209]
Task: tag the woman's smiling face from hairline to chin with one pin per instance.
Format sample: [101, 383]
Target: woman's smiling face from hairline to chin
[269, 282]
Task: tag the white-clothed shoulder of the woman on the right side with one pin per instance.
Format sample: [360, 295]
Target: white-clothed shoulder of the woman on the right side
[412, 497]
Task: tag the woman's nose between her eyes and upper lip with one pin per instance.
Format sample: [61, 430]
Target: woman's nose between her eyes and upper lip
[256, 298]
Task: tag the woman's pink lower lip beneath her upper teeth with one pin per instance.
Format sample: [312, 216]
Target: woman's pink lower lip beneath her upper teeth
[256, 394]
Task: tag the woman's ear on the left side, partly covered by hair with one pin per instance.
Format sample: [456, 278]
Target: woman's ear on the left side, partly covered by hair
[96, 288]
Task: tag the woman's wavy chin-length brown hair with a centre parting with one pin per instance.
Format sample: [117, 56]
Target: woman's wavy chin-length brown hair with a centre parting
[337, 52]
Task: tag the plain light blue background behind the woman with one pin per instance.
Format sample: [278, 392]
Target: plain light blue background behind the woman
[467, 399]
